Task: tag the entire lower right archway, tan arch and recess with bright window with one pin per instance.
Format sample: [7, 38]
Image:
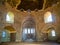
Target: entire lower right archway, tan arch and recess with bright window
[50, 32]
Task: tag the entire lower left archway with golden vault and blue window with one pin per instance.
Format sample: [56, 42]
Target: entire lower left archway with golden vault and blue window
[8, 34]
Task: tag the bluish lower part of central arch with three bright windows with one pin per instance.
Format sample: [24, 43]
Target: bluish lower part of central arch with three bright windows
[29, 34]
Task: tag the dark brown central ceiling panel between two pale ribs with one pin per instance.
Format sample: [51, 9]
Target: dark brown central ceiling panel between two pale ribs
[30, 4]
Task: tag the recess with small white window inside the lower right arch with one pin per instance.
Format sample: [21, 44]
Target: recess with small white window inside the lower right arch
[52, 34]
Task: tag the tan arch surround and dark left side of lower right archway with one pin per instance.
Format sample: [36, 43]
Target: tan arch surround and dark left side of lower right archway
[45, 31]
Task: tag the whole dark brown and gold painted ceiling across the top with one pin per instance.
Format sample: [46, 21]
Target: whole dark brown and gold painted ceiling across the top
[30, 4]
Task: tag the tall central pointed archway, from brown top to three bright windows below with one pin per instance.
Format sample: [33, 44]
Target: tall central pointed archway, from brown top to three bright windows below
[29, 29]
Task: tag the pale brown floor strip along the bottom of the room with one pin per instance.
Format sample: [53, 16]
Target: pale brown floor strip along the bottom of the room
[30, 43]
